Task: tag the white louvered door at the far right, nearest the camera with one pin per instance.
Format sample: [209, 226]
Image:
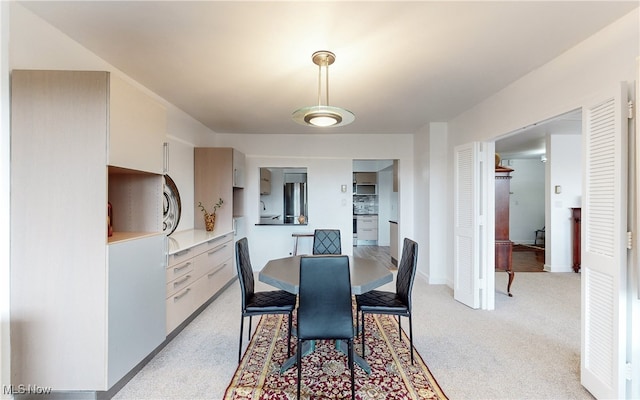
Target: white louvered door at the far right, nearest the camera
[604, 253]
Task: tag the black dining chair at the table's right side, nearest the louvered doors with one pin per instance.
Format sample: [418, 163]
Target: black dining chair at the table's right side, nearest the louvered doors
[394, 303]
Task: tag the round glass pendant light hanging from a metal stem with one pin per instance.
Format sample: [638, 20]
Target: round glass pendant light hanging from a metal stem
[323, 115]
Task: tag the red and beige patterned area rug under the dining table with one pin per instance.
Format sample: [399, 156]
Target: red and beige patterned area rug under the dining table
[325, 373]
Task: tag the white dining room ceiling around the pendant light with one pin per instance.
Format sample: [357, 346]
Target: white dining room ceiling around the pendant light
[244, 67]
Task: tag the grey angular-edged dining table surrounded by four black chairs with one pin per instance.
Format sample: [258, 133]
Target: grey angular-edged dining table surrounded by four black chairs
[366, 274]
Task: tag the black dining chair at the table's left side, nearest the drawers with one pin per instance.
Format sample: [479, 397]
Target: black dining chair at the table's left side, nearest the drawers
[259, 303]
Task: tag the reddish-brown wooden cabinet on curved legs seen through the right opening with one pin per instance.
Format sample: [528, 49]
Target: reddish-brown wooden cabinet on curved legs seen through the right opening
[503, 246]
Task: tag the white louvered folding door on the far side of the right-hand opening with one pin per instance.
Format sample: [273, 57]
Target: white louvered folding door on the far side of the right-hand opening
[473, 286]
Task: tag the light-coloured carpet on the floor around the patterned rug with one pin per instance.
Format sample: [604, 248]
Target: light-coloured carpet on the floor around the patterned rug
[528, 348]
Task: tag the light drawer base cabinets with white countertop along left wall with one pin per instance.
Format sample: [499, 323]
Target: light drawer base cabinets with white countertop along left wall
[196, 273]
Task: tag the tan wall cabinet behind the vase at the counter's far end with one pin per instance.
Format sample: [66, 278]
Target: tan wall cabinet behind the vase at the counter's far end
[217, 172]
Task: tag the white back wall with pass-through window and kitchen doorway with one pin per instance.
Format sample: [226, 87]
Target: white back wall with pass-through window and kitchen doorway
[329, 162]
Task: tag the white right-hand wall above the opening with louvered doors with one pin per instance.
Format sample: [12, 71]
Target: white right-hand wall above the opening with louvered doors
[562, 85]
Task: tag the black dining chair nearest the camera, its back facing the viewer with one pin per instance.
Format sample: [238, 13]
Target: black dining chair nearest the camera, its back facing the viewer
[325, 305]
